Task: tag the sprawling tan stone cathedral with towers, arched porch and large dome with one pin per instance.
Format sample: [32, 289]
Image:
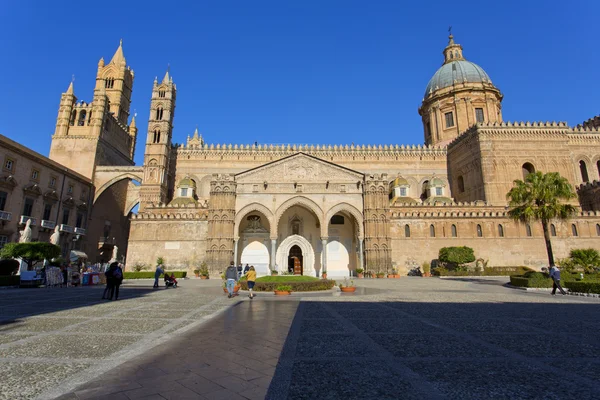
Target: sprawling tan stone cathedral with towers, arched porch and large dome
[333, 208]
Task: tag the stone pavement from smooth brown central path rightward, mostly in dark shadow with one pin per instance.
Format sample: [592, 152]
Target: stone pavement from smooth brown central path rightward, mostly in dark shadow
[409, 338]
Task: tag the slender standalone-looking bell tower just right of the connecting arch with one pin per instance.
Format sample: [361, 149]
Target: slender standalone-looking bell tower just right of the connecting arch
[157, 156]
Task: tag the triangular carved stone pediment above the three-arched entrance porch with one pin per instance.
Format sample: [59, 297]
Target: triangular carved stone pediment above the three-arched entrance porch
[299, 167]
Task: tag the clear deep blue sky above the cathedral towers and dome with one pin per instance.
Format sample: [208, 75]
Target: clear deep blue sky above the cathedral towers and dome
[296, 71]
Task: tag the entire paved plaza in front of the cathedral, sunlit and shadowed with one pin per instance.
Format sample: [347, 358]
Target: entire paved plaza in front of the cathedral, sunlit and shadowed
[411, 338]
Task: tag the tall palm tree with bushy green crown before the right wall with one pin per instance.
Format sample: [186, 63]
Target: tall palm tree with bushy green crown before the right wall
[539, 198]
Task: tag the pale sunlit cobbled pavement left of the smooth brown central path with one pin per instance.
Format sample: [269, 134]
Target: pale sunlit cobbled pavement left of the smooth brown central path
[52, 340]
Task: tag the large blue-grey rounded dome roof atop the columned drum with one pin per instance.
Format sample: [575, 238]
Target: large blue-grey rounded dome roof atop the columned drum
[459, 71]
